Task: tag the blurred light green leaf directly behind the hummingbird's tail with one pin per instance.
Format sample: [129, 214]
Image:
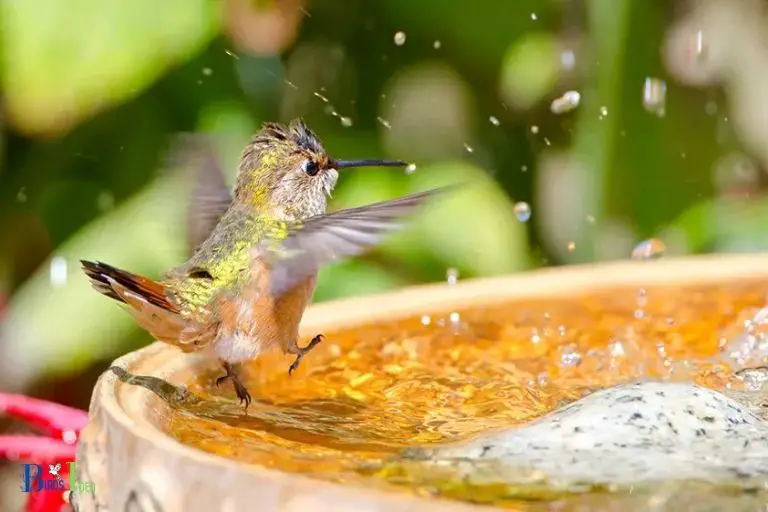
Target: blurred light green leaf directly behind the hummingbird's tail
[62, 329]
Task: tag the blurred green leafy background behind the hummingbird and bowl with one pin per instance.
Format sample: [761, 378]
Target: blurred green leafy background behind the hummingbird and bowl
[593, 130]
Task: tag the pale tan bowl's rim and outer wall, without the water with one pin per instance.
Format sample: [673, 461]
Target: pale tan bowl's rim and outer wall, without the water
[136, 466]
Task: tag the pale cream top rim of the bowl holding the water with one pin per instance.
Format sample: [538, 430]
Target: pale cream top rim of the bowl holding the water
[126, 406]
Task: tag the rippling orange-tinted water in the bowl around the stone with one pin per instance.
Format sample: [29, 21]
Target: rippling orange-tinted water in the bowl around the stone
[358, 407]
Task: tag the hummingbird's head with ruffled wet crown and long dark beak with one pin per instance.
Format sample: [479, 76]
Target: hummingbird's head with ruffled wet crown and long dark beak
[285, 171]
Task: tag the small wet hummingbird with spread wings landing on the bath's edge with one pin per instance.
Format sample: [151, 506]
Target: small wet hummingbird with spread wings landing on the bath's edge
[256, 252]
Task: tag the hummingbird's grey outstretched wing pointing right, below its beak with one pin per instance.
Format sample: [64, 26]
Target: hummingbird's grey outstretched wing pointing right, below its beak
[330, 237]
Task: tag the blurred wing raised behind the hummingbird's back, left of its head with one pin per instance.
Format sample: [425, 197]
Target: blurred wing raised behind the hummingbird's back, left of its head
[210, 195]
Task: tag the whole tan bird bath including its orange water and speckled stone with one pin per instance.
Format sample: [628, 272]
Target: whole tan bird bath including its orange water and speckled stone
[449, 396]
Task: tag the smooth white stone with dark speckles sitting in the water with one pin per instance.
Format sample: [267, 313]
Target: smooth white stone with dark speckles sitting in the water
[628, 435]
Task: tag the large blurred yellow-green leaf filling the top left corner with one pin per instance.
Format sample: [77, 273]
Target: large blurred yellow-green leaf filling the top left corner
[63, 62]
